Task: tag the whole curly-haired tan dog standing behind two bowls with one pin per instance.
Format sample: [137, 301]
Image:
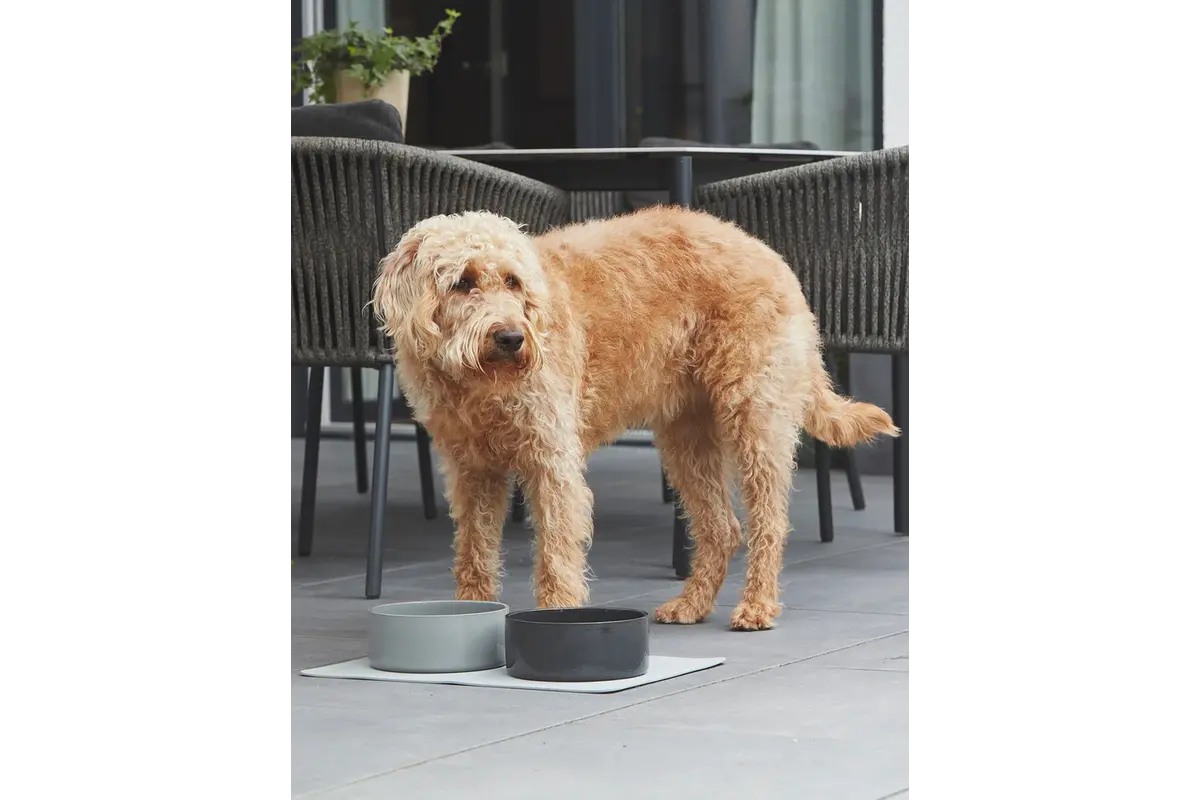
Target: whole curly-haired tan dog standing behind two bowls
[524, 354]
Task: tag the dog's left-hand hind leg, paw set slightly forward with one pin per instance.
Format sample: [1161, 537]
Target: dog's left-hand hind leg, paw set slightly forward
[698, 468]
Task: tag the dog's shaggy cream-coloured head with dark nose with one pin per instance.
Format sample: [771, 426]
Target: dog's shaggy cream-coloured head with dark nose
[466, 296]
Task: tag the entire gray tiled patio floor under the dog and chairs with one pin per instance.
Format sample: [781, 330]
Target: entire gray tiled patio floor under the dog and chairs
[819, 708]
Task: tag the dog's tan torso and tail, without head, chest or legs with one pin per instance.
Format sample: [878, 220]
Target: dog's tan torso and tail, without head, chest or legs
[671, 299]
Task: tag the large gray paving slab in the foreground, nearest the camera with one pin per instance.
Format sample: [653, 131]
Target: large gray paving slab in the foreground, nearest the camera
[791, 732]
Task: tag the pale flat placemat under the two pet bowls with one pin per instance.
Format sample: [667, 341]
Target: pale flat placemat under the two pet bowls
[662, 669]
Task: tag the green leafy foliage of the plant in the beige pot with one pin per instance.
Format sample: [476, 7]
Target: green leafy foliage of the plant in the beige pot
[368, 56]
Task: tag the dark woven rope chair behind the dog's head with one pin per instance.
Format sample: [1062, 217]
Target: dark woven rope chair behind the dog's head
[350, 201]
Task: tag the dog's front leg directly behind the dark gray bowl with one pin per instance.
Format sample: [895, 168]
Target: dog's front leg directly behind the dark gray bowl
[562, 513]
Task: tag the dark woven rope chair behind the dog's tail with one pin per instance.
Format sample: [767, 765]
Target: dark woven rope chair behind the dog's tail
[845, 227]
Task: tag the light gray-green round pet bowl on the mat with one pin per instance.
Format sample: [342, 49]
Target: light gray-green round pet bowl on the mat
[433, 636]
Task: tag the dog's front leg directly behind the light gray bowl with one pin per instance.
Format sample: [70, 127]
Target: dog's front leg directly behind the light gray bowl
[478, 504]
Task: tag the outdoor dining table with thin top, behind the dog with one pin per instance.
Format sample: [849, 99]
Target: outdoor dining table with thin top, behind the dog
[676, 171]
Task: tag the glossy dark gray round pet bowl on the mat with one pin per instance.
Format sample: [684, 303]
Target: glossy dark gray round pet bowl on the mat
[578, 645]
